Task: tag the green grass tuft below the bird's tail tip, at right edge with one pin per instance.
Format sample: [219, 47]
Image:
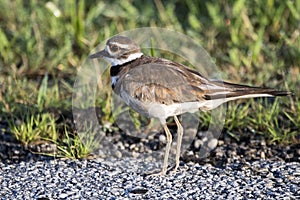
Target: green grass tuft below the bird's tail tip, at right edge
[262, 117]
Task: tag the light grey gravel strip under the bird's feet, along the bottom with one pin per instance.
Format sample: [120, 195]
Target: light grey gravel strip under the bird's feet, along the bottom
[116, 179]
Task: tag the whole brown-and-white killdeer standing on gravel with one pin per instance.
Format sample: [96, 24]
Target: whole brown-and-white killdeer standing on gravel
[160, 88]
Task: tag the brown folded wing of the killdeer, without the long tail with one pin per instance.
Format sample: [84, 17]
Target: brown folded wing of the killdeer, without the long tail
[162, 83]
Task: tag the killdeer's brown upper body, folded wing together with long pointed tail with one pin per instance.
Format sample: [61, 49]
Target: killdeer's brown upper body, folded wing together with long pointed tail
[163, 81]
